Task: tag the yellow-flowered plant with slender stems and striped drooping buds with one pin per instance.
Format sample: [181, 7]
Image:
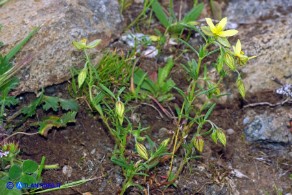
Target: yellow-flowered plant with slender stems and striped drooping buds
[191, 119]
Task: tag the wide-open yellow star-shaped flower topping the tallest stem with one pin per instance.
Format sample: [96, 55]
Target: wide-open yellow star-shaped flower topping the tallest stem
[218, 30]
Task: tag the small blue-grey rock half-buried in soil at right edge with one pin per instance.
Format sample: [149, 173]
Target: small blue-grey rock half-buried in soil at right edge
[269, 127]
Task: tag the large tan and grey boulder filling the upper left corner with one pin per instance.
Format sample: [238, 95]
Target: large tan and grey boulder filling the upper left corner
[61, 21]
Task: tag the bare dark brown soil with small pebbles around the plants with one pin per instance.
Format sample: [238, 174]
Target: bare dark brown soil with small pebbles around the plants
[85, 147]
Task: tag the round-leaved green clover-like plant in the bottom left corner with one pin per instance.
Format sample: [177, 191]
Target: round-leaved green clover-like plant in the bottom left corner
[19, 176]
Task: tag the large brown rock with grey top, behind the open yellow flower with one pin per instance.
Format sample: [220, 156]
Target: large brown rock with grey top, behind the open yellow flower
[266, 32]
